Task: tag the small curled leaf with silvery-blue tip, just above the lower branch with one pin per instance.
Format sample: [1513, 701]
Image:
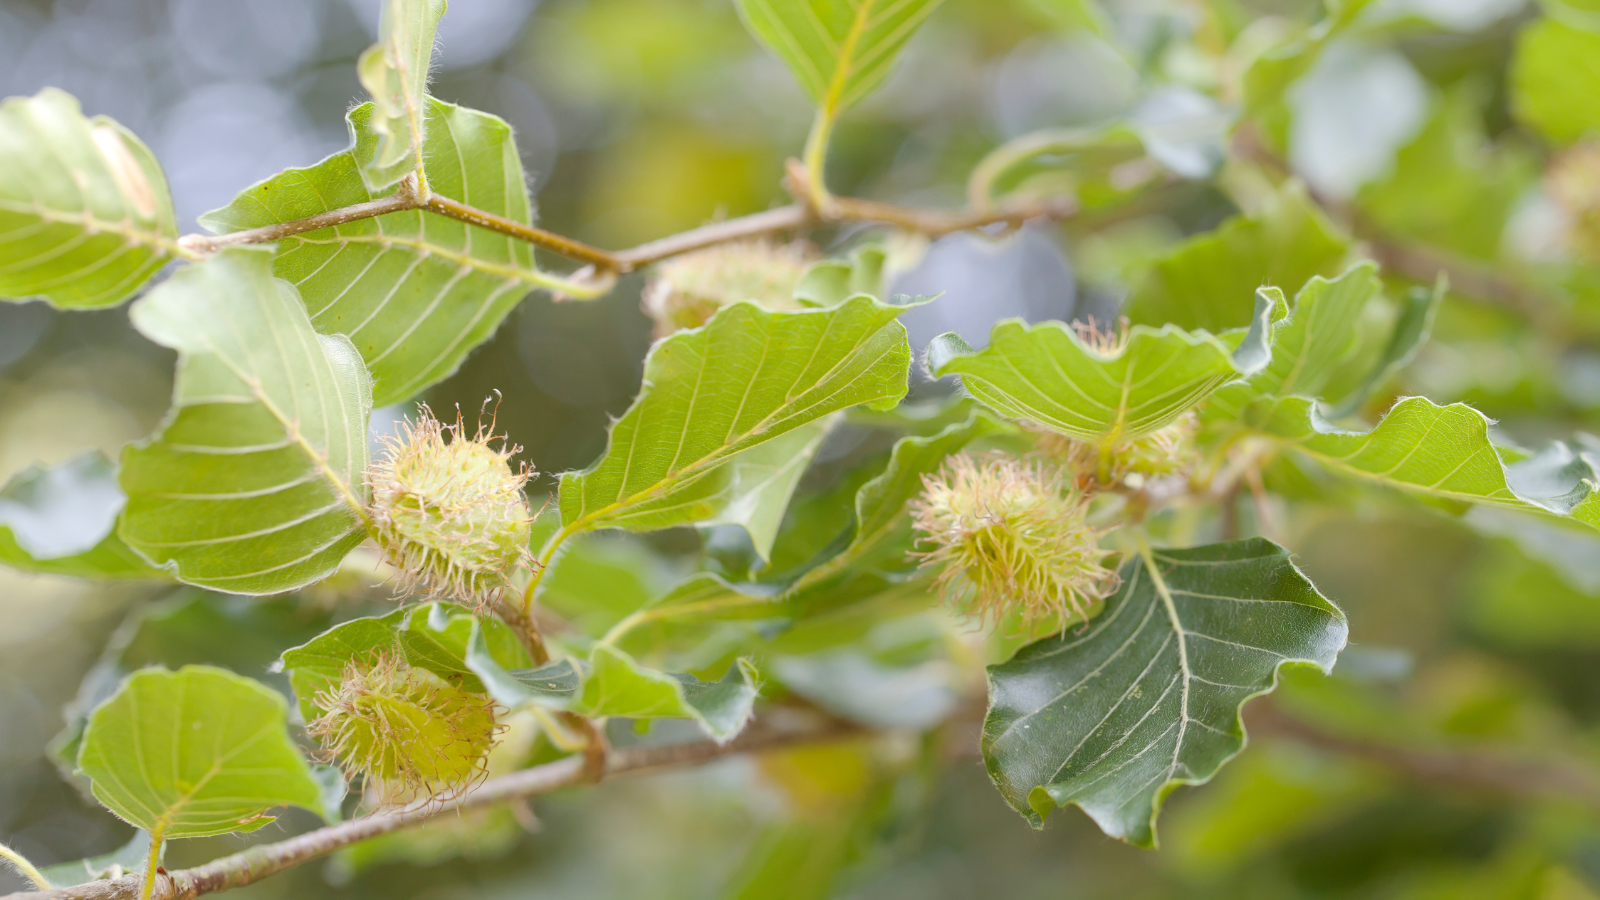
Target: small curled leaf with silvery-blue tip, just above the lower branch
[618, 686]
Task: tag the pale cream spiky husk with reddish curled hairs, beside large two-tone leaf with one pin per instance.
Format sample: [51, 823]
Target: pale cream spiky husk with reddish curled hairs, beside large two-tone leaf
[449, 512]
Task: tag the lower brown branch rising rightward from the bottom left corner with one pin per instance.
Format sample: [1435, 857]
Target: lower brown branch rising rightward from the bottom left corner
[270, 859]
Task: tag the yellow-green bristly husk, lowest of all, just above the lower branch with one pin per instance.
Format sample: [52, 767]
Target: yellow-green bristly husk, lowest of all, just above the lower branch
[406, 729]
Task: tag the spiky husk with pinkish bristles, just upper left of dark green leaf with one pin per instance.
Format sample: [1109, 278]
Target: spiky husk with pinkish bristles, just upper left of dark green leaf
[1010, 542]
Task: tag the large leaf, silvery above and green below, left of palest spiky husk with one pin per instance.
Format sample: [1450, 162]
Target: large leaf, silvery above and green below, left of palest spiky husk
[255, 483]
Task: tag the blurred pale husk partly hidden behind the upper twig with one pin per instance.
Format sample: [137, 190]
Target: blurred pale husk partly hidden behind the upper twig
[687, 291]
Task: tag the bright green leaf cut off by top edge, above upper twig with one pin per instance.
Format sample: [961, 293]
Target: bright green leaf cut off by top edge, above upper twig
[839, 50]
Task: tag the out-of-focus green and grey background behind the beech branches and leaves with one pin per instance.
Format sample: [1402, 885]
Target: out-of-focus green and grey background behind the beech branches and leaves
[636, 119]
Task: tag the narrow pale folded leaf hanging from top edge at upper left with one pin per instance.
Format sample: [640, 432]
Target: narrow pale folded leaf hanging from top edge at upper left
[394, 71]
